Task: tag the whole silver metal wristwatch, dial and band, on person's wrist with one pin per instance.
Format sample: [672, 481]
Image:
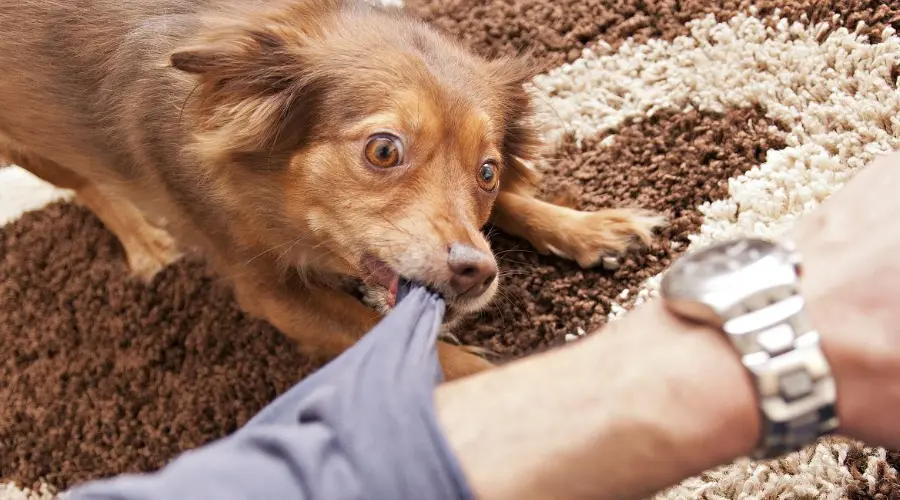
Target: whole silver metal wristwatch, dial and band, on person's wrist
[748, 288]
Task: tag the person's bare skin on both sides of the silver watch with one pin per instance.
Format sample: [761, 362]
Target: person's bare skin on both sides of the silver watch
[655, 399]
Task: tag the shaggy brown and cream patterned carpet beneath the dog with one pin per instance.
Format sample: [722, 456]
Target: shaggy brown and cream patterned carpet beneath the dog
[733, 119]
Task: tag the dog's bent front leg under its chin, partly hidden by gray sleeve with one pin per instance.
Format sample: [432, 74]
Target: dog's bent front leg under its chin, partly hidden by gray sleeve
[327, 322]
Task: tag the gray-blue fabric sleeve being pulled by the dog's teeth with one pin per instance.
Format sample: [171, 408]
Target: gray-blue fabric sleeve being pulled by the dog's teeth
[362, 427]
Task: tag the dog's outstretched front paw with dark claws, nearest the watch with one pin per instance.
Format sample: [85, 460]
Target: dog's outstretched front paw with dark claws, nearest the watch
[590, 237]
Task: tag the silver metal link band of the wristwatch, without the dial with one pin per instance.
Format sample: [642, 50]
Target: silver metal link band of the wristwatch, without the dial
[795, 386]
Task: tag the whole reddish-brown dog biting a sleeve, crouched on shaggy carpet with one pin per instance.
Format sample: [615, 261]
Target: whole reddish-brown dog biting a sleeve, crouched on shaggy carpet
[301, 144]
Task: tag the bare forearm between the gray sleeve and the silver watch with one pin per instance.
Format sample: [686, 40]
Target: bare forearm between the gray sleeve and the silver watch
[648, 392]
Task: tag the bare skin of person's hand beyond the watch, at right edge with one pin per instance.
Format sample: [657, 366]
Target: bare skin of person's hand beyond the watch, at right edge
[851, 281]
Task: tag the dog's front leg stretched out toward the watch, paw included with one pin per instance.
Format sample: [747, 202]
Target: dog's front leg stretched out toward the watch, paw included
[585, 237]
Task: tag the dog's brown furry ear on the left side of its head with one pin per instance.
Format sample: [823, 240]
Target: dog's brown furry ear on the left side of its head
[255, 90]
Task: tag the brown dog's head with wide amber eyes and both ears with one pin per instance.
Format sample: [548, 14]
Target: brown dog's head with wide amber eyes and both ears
[366, 142]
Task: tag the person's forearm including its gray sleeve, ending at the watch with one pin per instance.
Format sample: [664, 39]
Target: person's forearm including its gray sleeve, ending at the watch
[611, 416]
